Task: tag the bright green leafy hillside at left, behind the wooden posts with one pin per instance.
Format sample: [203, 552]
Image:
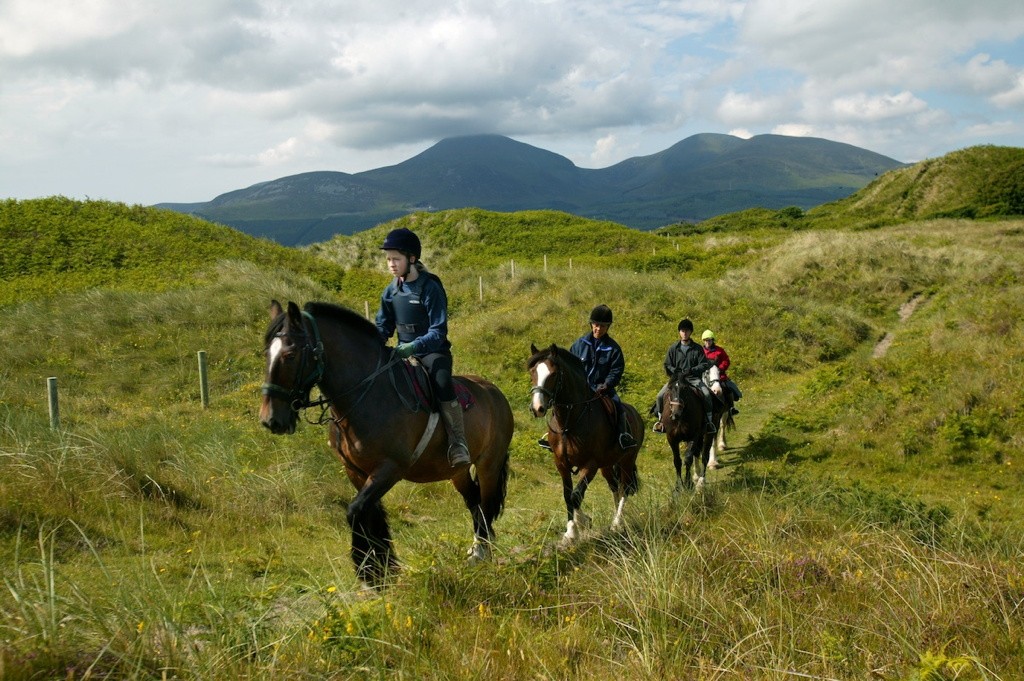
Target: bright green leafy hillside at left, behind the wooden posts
[58, 246]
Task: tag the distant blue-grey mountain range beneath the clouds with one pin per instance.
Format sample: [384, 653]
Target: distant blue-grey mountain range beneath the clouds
[700, 178]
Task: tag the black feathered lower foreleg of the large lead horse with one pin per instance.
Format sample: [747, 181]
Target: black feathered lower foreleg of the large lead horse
[372, 552]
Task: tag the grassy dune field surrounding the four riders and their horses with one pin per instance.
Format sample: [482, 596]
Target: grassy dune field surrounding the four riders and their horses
[865, 525]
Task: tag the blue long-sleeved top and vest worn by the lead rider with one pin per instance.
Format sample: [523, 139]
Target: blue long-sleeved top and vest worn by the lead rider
[418, 312]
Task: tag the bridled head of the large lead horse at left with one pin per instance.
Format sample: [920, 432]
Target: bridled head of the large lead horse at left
[294, 366]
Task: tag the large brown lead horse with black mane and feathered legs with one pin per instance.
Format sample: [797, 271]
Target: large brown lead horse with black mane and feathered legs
[379, 431]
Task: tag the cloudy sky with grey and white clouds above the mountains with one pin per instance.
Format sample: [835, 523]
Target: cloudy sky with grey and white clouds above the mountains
[158, 101]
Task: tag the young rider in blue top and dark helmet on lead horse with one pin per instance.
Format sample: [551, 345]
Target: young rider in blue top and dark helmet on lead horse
[415, 305]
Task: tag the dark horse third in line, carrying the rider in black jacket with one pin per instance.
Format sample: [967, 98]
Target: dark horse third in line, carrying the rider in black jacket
[686, 421]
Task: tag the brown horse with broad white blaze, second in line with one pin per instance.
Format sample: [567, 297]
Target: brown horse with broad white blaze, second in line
[582, 435]
